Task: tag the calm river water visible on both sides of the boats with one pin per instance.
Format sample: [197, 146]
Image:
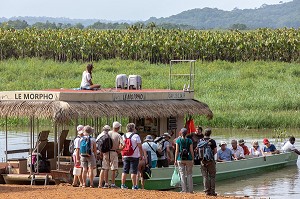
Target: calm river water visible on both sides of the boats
[284, 183]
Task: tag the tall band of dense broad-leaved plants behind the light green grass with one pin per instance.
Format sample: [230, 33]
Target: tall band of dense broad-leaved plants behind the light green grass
[153, 45]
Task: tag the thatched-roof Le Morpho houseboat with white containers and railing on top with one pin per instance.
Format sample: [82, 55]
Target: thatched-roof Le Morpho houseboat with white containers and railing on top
[154, 111]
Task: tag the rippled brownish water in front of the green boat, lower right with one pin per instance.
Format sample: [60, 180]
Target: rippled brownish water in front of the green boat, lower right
[274, 184]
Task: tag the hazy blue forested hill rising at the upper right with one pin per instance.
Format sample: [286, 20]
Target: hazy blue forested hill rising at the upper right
[273, 16]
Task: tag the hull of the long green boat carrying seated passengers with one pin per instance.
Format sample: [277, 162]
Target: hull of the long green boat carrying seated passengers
[161, 177]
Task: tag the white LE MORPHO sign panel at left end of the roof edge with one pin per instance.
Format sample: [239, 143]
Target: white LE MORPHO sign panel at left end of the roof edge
[28, 96]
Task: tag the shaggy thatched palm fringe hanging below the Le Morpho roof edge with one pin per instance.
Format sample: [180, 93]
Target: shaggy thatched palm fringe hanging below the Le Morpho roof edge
[61, 111]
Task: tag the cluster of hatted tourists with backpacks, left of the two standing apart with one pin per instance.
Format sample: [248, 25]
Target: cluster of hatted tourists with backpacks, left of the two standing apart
[136, 156]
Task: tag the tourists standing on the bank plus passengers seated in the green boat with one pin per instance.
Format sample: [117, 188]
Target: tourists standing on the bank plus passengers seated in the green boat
[189, 149]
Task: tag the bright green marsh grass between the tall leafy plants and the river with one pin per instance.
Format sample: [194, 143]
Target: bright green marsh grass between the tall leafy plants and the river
[242, 95]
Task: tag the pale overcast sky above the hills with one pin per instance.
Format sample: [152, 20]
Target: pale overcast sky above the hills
[118, 9]
